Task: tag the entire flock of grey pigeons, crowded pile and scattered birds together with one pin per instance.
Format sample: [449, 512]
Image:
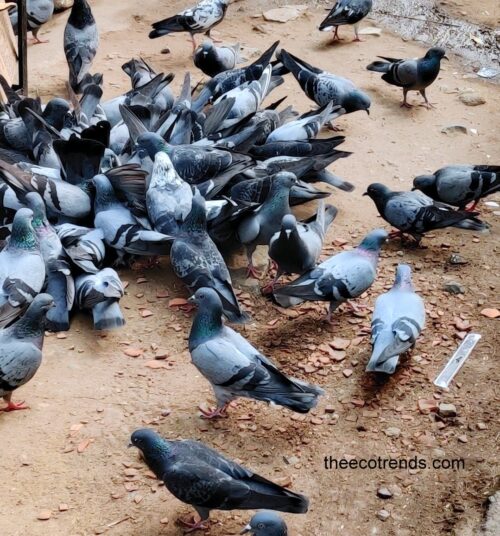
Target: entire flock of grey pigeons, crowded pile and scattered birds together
[88, 184]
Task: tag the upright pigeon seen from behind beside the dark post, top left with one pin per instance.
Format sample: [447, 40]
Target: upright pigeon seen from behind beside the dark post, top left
[81, 39]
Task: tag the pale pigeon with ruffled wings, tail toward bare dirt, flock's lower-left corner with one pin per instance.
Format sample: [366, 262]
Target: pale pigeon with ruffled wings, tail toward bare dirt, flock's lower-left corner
[101, 293]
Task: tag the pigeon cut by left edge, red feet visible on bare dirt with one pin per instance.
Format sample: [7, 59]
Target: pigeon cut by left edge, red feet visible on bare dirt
[21, 350]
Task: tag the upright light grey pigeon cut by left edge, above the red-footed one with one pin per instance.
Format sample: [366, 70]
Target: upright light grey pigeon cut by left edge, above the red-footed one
[22, 269]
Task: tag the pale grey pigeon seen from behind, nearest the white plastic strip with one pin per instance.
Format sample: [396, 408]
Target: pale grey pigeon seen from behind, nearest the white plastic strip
[398, 319]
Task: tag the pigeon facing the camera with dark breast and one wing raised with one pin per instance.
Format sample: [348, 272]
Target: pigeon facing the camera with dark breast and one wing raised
[297, 246]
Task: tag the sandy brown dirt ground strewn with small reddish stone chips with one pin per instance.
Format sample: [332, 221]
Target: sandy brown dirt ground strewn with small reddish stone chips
[67, 457]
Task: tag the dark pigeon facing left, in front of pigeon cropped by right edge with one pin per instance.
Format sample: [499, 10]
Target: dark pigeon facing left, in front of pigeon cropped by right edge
[415, 213]
